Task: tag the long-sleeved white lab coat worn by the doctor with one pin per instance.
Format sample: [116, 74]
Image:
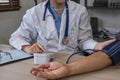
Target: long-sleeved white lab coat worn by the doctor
[44, 32]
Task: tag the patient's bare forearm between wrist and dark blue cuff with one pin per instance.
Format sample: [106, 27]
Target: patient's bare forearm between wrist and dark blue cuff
[93, 62]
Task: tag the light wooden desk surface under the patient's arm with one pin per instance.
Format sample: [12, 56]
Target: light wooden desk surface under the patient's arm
[20, 70]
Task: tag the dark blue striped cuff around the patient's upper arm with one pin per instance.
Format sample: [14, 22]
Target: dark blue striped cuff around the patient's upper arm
[113, 51]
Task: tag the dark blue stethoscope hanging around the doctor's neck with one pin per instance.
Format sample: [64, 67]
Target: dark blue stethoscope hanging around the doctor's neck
[47, 6]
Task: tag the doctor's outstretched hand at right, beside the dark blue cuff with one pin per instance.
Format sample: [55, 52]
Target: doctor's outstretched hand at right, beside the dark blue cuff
[101, 45]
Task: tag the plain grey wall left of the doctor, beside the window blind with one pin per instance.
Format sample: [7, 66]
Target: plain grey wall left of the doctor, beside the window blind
[10, 21]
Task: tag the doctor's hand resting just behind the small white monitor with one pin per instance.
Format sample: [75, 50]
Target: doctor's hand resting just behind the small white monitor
[35, 48]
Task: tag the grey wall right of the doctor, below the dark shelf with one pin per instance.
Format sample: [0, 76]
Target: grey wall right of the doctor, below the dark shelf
[108, 18]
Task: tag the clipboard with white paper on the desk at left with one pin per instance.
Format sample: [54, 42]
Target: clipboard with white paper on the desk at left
[13, 56]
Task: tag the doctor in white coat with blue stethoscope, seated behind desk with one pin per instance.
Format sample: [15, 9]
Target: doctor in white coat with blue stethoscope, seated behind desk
[55, 27]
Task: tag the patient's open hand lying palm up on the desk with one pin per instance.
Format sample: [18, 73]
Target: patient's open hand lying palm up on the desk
[53, 70]
